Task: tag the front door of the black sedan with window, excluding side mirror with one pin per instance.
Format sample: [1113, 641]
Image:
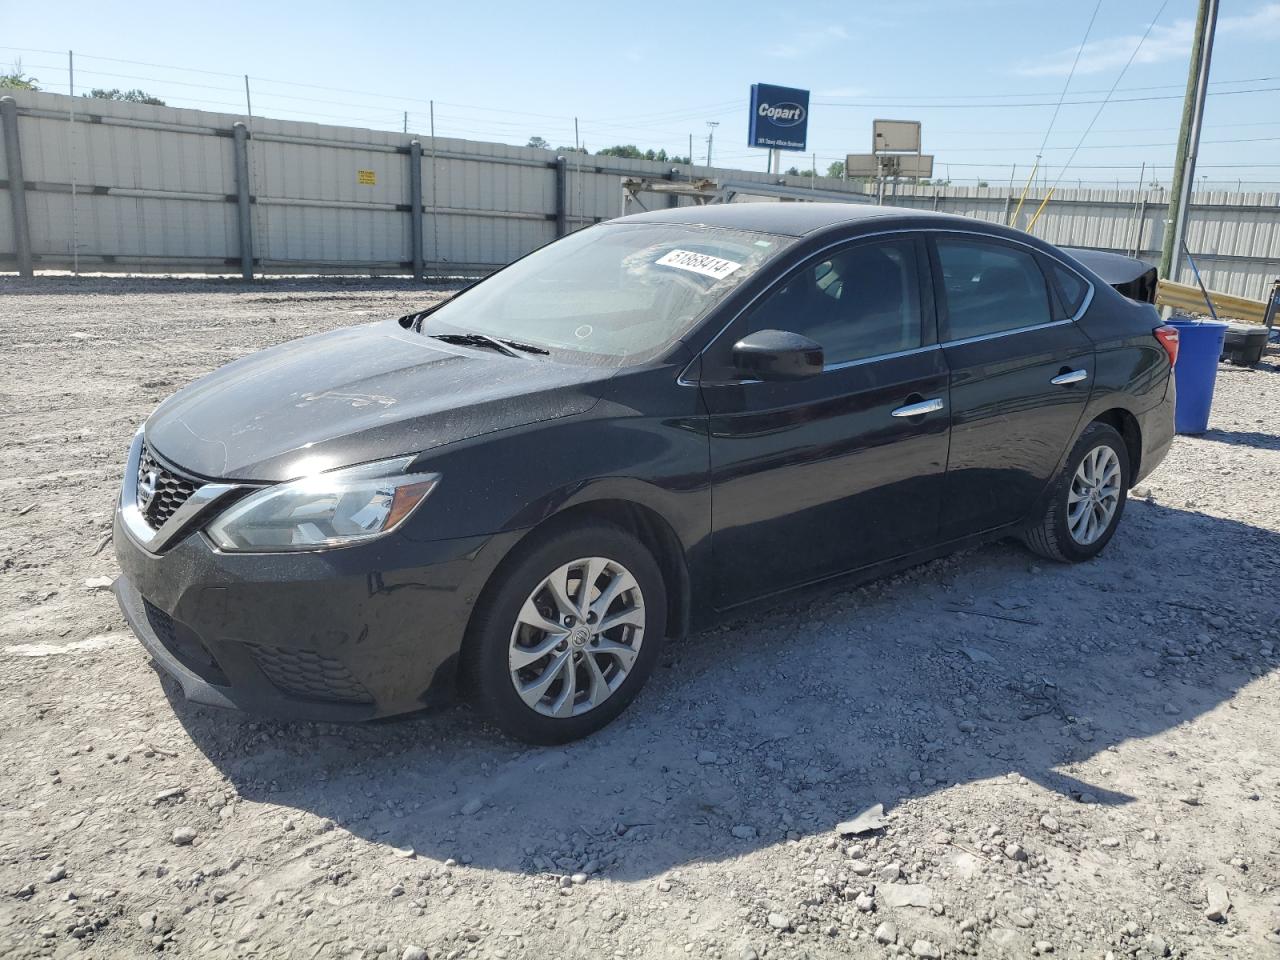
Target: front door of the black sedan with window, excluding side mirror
[819, 477]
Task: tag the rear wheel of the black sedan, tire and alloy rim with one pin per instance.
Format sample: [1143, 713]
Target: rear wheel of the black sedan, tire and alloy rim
[1058, 536]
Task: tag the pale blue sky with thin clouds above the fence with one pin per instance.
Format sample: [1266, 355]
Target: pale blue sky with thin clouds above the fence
[982, 76]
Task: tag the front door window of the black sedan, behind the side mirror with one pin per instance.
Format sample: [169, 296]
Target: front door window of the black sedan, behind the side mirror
[861, 303]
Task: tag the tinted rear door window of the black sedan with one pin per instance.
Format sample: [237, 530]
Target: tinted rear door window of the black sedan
[991, 287]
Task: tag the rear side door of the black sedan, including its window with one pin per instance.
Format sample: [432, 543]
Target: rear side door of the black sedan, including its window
[1021, 376]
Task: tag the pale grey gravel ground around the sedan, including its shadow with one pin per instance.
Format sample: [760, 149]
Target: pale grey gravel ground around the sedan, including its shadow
[1072, 761]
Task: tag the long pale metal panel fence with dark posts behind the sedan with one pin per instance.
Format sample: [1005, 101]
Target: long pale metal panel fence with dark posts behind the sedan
[109, 186]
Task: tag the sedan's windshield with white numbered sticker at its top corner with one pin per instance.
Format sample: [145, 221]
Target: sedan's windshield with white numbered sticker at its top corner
[616, 294]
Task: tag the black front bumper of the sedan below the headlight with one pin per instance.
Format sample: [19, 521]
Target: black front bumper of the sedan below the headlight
[349, 634]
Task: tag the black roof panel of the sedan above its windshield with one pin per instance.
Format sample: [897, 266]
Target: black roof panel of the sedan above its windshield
[793, 220]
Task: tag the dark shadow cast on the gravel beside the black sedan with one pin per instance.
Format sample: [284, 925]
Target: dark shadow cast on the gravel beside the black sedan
[985, 666]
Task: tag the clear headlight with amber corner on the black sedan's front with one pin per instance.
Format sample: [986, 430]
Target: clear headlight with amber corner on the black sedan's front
[336, 509]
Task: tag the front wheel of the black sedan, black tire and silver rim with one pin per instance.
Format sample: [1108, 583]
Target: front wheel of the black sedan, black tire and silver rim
[510, 641]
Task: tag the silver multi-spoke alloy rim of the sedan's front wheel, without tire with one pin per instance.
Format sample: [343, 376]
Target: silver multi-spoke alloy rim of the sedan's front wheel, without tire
[578, 638]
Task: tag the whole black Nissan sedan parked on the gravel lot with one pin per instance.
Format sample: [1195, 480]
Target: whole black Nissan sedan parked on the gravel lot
[524, 492]
